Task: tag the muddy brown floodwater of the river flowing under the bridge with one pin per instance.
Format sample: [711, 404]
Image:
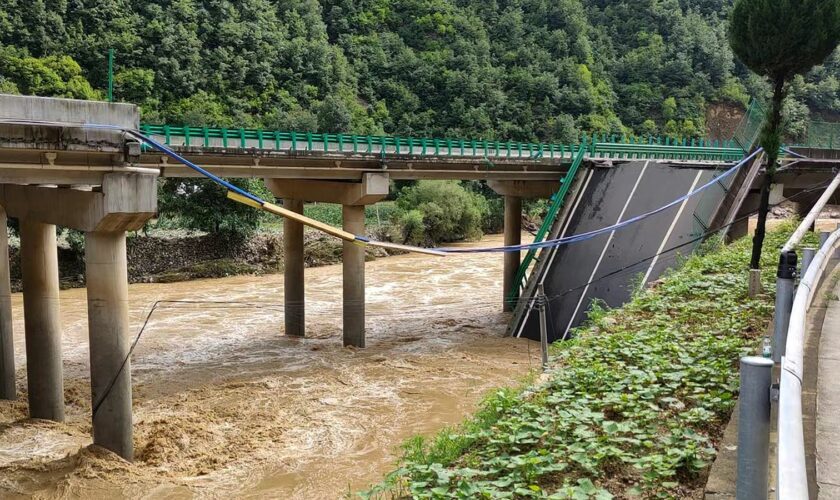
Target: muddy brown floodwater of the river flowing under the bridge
[224, 405]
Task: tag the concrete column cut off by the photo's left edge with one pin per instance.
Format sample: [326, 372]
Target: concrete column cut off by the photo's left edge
[7, 346]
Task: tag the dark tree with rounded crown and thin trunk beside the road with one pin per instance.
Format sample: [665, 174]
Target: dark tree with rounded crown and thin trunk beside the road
[779, 39]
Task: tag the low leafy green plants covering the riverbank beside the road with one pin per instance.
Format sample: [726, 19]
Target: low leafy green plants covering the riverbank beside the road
[632, 407]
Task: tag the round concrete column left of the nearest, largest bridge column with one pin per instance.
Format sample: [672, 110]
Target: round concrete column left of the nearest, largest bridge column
[44, 374]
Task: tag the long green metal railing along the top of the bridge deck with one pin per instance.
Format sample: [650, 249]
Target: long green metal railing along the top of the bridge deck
[598, 146]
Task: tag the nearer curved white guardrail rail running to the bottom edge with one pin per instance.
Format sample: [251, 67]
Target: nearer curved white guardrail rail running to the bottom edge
[792, 478]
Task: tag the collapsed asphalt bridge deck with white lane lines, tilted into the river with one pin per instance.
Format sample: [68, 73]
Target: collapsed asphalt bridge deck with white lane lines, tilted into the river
[609, 267]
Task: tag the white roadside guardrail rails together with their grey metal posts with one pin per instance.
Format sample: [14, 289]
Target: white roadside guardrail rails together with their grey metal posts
[792, 304]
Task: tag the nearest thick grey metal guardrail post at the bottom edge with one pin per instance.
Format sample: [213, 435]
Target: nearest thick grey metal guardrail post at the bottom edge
[754, 428]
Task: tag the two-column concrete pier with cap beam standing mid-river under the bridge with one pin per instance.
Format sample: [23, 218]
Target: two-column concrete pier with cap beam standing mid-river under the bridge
[353, 196]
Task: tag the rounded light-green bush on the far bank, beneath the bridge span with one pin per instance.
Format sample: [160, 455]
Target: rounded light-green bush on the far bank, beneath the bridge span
[449, 212]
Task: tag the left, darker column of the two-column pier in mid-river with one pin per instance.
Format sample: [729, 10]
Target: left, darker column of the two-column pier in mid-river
[293, 285]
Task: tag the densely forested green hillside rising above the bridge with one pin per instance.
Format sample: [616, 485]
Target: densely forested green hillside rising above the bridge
[501, 69]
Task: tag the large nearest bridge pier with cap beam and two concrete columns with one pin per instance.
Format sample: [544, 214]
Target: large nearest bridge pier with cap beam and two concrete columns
[123, 203]
